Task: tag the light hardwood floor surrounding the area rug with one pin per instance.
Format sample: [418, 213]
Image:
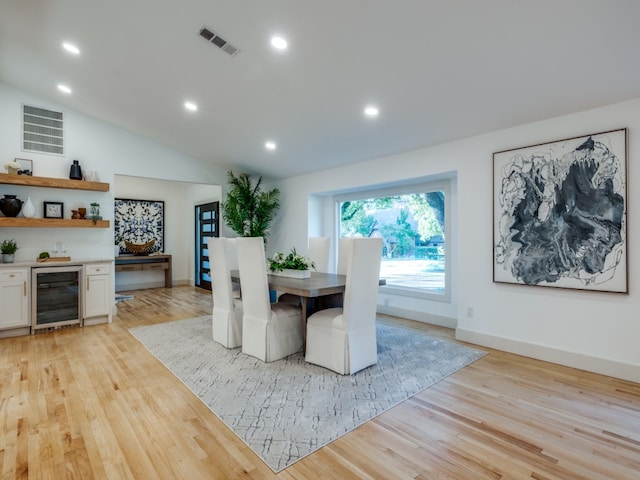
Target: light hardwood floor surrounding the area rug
[94, 403]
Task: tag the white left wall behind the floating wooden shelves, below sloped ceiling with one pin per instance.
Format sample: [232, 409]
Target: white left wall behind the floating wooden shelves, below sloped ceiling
[98, 146]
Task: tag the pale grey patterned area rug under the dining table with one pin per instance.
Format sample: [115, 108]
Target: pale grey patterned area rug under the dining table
[287, 409]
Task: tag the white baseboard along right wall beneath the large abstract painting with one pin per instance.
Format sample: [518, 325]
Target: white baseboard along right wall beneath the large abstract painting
[603, 366]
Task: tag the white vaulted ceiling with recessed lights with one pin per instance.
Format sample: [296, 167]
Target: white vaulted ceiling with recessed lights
[439, 70]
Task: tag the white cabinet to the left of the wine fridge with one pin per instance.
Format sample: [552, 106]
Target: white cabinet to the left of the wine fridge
[14, 302]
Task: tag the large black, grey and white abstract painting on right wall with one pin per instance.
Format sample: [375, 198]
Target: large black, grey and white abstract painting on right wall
[560, 213]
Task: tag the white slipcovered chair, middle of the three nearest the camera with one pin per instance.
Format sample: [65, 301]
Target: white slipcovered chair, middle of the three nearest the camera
[269, 331]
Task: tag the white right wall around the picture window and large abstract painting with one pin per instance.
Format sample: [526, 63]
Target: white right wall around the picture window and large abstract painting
[594, 331]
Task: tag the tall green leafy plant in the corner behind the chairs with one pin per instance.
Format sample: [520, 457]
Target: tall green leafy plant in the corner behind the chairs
[248, 210]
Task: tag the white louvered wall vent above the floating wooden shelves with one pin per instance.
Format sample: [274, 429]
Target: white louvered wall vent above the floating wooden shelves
[42, 130]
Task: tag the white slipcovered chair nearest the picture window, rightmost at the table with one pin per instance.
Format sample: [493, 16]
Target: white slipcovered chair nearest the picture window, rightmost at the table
[343, 339]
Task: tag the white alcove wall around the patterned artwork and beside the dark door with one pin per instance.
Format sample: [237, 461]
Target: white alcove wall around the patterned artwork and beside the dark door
[179, 199]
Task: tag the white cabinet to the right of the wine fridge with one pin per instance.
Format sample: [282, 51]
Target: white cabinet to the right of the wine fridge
[98, 298]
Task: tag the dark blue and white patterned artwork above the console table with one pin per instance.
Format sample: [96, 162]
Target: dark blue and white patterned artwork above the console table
[139, 222]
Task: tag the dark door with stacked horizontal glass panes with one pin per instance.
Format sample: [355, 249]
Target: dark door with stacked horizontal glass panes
[207, 225]
